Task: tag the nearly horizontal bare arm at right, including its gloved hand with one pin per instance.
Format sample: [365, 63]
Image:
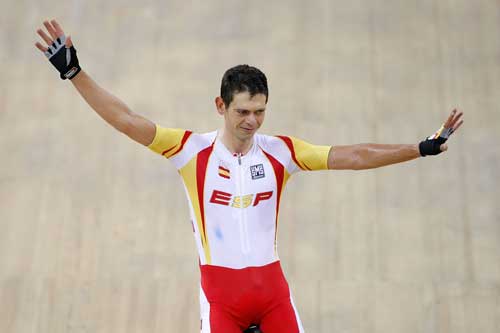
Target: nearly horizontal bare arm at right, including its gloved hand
[371, 155]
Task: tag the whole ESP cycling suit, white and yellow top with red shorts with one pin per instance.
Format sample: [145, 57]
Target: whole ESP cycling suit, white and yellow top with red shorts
[234, 204]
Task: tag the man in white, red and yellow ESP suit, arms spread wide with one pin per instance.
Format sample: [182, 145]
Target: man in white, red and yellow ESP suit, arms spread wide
[233, 179]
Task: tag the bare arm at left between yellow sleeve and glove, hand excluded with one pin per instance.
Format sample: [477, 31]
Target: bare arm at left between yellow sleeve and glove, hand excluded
[114, 111]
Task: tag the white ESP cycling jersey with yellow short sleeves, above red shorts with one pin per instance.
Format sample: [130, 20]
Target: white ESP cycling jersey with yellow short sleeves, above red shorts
[234, 199]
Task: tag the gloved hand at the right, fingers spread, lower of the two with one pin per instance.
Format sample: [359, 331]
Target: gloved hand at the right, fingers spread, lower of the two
[435, 144]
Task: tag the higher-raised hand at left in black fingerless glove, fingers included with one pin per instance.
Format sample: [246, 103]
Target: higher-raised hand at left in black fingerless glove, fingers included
[59, 50]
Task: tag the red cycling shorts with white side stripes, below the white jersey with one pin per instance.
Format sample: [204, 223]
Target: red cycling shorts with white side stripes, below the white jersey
[233, 299]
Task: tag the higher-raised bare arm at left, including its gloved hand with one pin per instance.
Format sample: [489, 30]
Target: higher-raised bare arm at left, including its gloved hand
[109, 107]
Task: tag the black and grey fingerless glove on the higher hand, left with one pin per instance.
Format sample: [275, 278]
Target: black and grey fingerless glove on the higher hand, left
[64, 59]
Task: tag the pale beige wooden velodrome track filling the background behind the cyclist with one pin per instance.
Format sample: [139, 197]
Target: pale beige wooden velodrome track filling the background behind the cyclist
[94, 228]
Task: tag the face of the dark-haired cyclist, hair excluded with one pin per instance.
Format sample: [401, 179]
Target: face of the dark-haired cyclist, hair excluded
[244, 116]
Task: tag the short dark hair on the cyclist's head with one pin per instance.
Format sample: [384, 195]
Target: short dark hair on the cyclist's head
[243, 78]
